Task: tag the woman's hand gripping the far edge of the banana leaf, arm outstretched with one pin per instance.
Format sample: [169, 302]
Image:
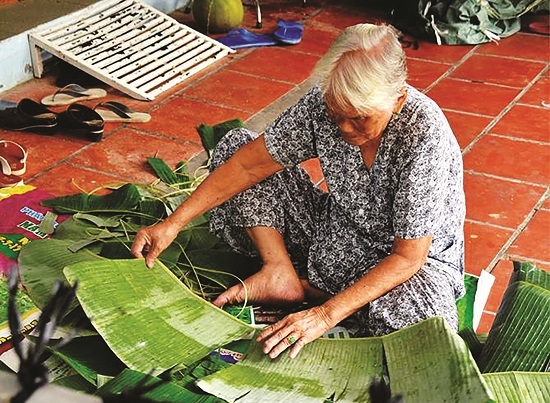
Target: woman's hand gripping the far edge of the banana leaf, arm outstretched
[151, 241]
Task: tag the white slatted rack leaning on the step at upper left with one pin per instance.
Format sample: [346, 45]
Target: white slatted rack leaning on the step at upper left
[130, 46]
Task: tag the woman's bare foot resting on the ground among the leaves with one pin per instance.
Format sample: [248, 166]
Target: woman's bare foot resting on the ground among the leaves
[273, 285]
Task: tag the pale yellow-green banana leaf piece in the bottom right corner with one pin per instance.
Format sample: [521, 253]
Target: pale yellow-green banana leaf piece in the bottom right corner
[519, 387]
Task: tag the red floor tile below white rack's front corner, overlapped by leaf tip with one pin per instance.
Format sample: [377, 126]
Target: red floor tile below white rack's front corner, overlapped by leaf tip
[179, 118]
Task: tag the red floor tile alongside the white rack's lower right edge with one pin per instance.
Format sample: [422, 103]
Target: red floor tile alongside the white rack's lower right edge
[237, 90]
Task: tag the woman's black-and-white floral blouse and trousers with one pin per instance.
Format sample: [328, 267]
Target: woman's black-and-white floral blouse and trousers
[414, 188]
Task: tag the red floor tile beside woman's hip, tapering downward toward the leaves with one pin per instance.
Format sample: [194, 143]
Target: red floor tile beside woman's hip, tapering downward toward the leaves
[482, 244]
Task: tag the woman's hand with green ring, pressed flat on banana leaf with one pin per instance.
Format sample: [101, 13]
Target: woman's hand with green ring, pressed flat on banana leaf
[295, 330]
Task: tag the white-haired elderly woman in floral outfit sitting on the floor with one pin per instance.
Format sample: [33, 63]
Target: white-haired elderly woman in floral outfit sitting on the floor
[385, 244]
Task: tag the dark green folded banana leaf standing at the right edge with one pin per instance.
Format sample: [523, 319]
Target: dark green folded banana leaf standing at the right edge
[519, 338]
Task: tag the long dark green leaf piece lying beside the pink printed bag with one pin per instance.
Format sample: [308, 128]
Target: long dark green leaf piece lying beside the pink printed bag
[125, 198]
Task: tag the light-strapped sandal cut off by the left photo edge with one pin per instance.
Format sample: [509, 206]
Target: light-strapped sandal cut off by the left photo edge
[13, 163]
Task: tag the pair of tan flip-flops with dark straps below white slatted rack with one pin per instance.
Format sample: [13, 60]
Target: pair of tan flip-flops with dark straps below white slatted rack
[109, 111]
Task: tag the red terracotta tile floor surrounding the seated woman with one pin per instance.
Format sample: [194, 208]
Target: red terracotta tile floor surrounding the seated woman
[496, 97]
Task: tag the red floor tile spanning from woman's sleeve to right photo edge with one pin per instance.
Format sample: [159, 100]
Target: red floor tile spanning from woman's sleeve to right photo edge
[516, 159]
